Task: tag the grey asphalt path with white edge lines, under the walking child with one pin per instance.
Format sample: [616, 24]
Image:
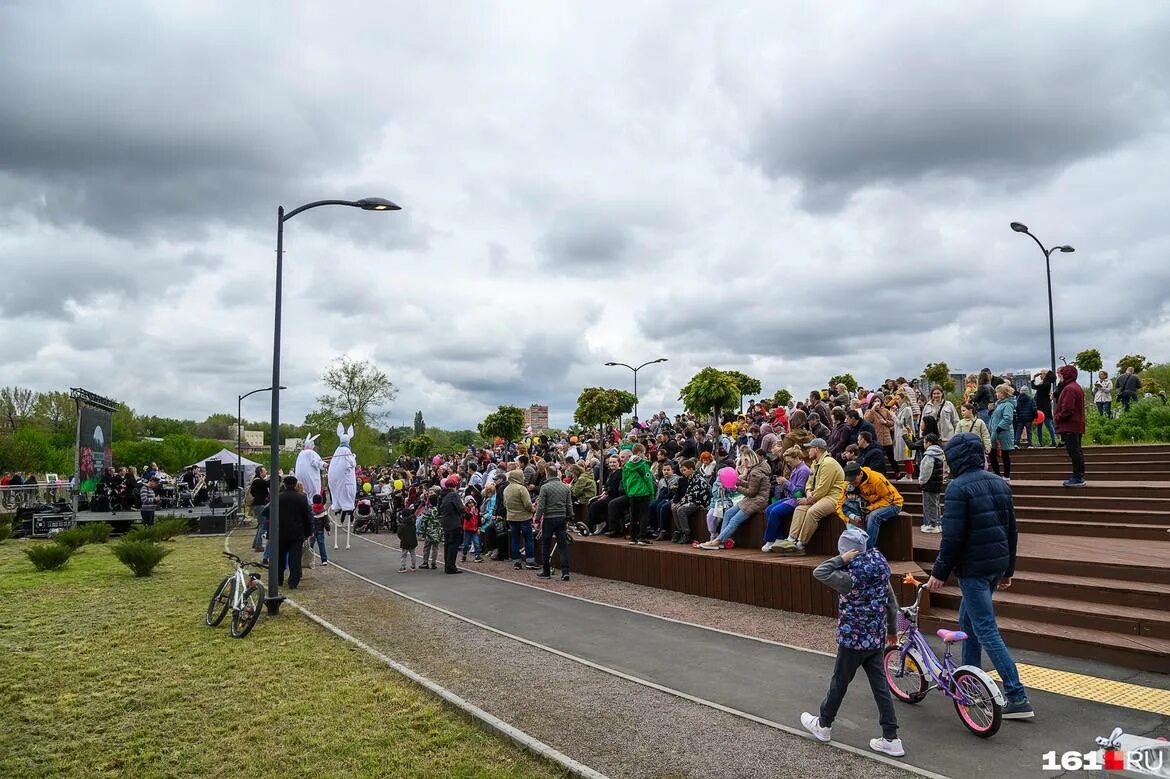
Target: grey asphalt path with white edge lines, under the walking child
[756, 678]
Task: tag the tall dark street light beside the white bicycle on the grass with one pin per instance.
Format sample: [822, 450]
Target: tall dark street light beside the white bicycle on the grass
[274, 598]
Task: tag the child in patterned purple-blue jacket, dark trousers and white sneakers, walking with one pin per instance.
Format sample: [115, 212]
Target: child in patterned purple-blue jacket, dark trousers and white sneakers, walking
[868, 610]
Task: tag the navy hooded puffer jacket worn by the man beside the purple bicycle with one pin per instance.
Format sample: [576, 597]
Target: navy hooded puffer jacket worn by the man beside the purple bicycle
[979, 518]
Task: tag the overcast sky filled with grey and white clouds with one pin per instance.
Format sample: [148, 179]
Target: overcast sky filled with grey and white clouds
[790, 190]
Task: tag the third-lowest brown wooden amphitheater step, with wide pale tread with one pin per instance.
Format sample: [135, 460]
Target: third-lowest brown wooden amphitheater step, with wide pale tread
[1105, 559]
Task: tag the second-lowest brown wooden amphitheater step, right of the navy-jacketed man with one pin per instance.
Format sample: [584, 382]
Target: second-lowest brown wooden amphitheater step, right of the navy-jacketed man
[1132, 621]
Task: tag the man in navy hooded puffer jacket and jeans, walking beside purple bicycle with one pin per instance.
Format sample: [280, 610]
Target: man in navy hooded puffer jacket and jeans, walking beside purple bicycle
[979, 547]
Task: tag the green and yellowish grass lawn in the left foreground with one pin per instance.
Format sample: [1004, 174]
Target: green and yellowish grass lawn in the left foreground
[102, 674]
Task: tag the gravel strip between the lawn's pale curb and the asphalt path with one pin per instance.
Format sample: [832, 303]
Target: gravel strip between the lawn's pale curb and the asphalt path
[616, 727]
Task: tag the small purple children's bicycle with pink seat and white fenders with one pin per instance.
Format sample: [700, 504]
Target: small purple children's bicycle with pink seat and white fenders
[913, 671]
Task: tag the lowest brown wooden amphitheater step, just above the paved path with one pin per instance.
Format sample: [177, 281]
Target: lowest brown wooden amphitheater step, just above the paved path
[1146, 653]
